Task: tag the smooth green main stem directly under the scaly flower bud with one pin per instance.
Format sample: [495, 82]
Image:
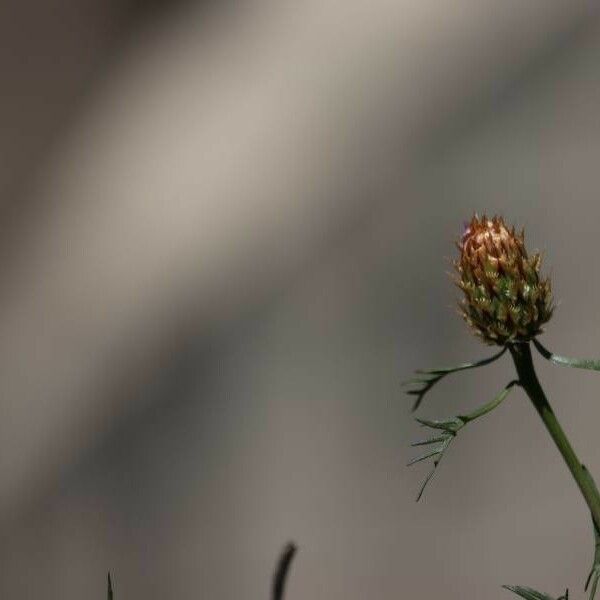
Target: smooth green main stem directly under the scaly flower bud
[521, 354]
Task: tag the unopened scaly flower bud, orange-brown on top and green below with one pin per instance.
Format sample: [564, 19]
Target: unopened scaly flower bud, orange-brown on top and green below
[505, 297]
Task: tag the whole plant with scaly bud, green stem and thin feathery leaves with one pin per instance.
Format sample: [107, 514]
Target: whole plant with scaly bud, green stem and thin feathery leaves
[506, 302]
